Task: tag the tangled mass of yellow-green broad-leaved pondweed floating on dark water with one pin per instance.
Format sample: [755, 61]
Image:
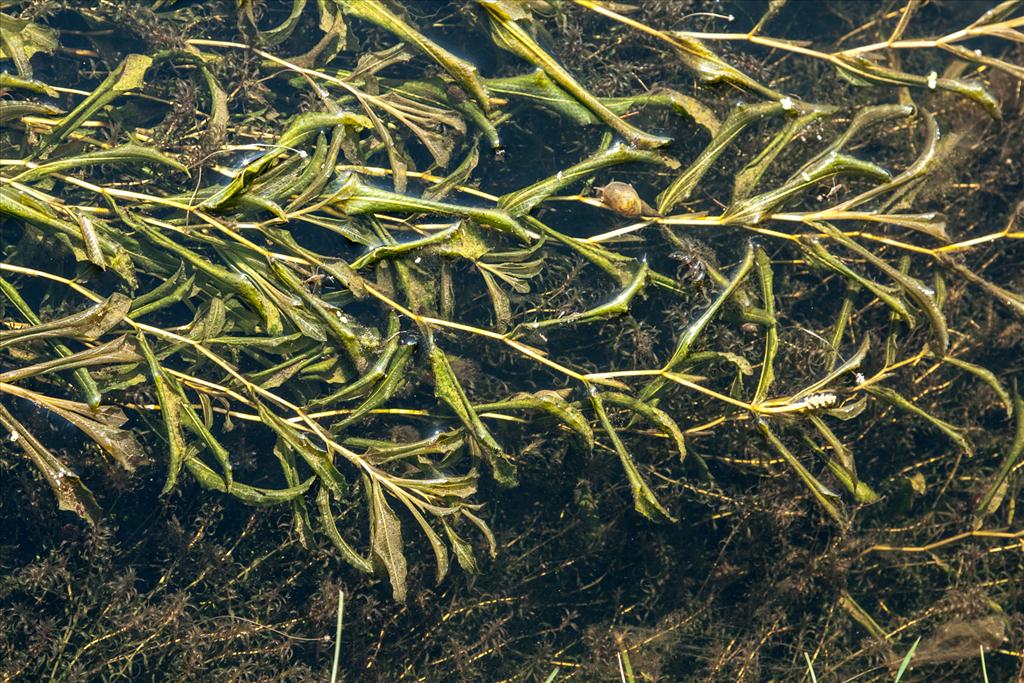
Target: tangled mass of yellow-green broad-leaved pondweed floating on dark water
[309, 276]
